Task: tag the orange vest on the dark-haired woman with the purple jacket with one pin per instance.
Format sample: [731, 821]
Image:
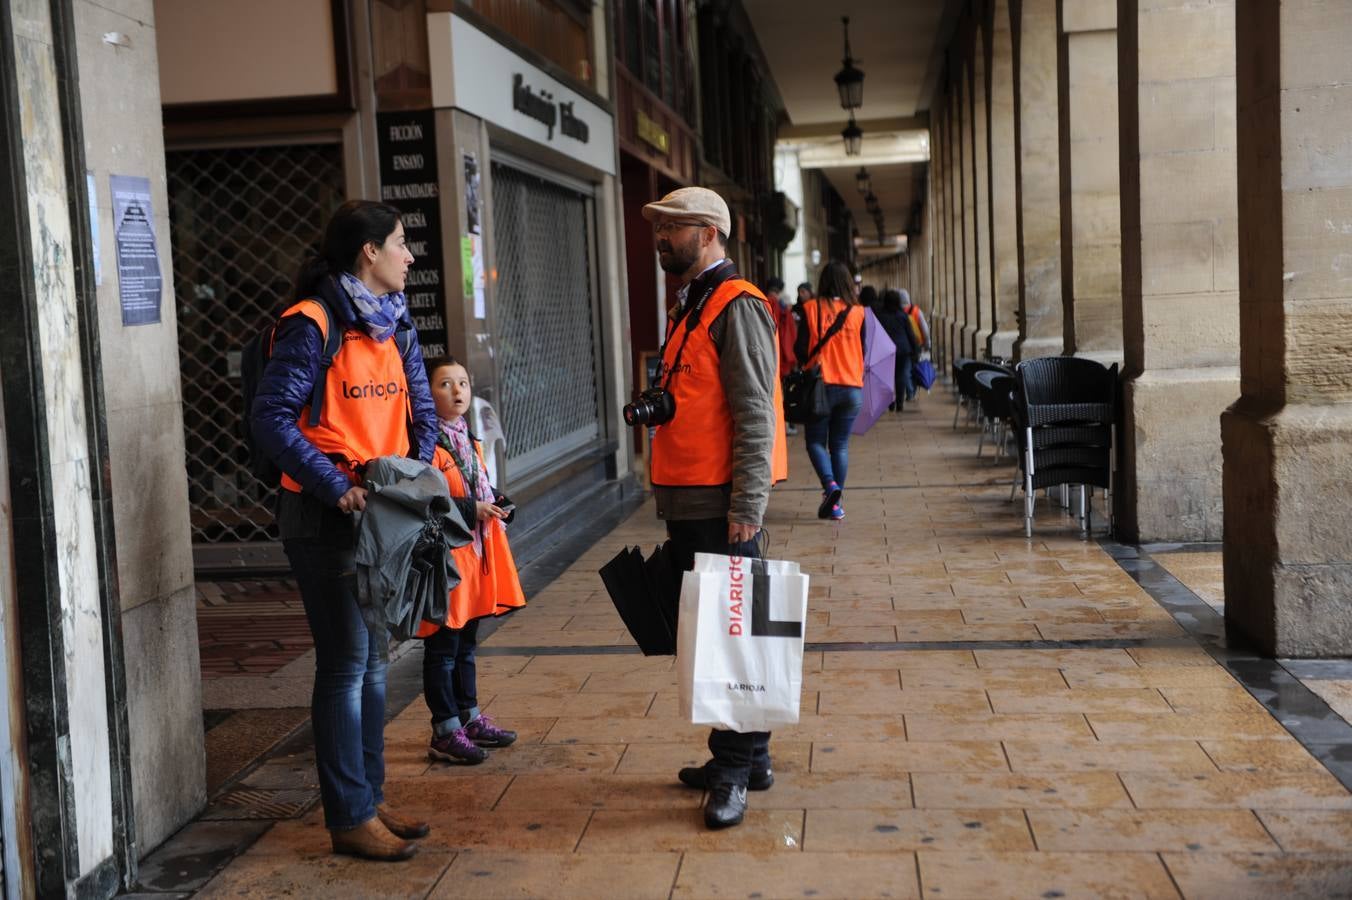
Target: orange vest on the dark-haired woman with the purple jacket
[367, 409]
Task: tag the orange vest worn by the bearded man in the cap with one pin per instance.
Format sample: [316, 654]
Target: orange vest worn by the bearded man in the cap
[696, 448]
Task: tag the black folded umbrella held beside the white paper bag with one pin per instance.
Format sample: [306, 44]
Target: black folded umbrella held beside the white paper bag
[647, 595]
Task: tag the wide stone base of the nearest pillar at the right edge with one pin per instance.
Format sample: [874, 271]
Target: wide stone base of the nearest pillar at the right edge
[1289, 529]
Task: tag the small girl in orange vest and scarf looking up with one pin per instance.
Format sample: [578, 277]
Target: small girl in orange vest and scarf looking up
[489, 583]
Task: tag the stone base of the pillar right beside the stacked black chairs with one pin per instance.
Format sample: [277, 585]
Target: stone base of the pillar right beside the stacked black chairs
[1170, 487]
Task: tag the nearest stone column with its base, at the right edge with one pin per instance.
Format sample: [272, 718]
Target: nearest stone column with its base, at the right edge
[1288, 466]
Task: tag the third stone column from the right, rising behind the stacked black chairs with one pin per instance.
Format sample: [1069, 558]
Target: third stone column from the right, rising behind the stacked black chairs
[1092, 225]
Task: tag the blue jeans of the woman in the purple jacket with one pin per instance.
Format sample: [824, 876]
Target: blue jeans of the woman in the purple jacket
[348, 705]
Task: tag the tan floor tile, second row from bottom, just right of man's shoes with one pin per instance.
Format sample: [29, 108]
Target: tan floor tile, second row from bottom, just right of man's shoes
[904, 830]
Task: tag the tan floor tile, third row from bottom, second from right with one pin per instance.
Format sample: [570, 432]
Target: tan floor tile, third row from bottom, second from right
[1019, 791]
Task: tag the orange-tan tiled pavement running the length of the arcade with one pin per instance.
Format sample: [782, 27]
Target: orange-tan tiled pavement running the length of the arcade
[984, 717]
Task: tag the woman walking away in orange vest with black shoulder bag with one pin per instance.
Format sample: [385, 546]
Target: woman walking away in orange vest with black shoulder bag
[842, 359]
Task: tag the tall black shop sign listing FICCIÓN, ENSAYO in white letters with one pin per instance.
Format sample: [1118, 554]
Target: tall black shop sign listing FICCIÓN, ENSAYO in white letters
[408, 145]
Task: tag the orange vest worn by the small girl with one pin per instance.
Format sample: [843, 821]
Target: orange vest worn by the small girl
[485, 590]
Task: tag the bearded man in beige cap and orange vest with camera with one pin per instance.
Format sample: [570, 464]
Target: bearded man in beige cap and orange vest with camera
[723, 447]
